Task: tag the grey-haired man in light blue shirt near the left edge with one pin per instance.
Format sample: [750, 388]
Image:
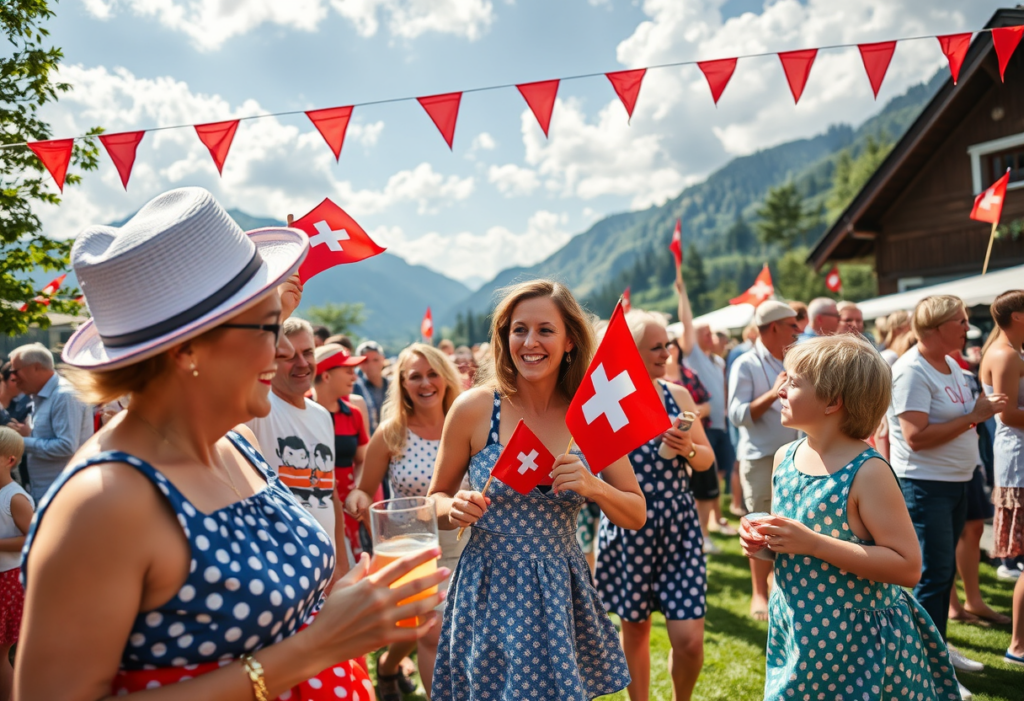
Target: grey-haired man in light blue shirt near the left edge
[60, 422]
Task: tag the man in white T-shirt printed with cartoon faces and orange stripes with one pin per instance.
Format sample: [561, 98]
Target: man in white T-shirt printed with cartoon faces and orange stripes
[297, 437]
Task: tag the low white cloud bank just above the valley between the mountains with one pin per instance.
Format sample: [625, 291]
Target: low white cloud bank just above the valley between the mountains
[468, 256]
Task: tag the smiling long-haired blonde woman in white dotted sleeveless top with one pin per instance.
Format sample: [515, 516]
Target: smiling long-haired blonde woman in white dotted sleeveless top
[404, 450]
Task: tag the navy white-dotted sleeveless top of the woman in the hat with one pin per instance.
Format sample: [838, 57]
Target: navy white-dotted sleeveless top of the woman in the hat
[260, 568]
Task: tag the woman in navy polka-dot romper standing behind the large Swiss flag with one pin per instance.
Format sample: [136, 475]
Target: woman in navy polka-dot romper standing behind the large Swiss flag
[660, 567]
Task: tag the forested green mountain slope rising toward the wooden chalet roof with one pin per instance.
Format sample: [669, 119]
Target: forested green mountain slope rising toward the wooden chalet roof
[715, 213]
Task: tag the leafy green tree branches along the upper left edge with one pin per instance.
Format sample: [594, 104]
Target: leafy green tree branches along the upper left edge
[27, 83]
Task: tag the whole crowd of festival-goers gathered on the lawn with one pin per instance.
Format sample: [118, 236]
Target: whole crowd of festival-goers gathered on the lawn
[206, 461]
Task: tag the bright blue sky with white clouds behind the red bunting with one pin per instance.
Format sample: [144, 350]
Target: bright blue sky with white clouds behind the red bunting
[505, 196]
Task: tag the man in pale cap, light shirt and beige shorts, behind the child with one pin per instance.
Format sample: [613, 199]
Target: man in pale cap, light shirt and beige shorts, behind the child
[755, 409]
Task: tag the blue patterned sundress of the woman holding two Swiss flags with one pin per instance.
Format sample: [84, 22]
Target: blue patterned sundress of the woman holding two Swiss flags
[524, 621]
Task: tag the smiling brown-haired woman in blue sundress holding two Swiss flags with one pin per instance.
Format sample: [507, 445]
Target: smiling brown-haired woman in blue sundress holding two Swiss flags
[524, 621]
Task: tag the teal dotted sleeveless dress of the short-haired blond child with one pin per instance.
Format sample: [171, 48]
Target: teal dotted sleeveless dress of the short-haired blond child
[833, 635]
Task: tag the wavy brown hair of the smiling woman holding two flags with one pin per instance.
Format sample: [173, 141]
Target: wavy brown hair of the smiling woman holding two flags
[578, 329]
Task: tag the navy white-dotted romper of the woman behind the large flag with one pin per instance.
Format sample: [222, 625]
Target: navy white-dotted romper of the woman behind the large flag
[662, 566]
